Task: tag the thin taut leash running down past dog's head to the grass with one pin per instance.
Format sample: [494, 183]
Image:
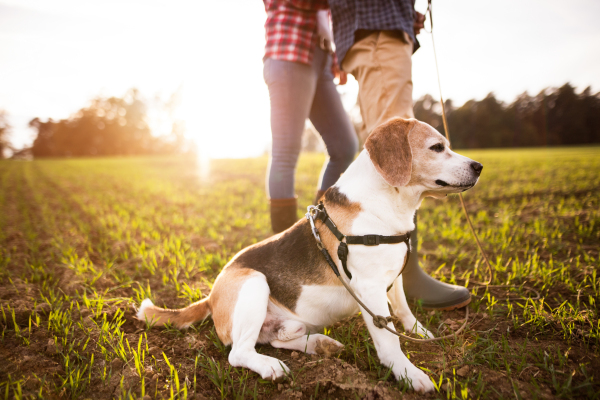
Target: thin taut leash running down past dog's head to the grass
[491, 271]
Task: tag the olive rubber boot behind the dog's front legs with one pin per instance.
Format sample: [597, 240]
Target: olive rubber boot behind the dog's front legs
[433, 294]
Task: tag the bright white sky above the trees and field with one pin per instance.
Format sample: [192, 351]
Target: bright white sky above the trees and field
[55, 56]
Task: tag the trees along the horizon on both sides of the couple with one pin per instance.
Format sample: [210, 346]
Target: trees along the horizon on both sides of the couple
[119, 126]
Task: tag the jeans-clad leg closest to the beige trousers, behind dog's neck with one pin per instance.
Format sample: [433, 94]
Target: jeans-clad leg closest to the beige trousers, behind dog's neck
[331, 121]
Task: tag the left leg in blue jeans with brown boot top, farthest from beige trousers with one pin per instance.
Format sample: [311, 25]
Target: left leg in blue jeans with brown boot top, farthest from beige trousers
[291, 90]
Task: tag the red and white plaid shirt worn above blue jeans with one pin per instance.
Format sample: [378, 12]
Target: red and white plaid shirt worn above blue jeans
[291, 29]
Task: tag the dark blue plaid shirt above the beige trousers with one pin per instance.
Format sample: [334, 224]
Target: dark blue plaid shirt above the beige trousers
[381, 15]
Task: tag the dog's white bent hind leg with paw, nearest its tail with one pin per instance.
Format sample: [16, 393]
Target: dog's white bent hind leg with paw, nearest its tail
[249, 315]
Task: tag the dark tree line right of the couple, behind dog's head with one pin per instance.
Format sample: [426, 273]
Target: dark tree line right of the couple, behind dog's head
[555, 117]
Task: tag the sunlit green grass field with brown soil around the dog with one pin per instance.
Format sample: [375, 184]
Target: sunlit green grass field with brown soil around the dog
[82, 241]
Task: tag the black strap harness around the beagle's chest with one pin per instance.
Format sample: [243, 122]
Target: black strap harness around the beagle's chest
[319, 213]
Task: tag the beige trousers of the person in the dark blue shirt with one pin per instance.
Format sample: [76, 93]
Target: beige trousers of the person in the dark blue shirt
[382, 65]
